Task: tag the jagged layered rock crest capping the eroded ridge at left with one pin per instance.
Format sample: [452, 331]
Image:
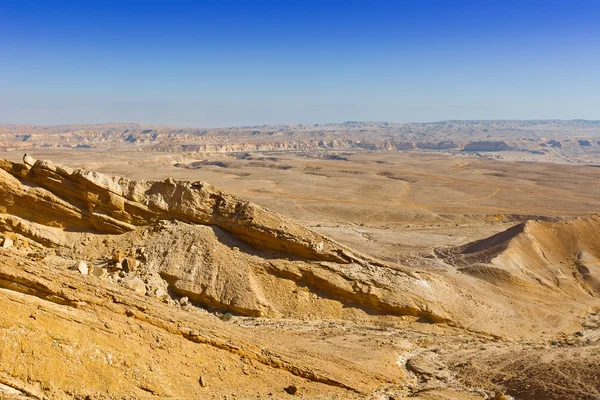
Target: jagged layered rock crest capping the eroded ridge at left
[55, 195]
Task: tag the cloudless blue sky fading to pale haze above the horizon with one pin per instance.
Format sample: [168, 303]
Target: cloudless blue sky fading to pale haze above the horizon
[223, 63]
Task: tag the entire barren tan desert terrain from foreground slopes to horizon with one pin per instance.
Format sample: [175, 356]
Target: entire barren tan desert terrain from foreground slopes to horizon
[447, 260]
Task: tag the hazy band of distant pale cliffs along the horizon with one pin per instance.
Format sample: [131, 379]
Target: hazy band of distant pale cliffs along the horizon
[578, 137]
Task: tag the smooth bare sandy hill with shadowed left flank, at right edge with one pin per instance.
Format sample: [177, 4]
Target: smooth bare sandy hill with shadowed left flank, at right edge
[557, 255]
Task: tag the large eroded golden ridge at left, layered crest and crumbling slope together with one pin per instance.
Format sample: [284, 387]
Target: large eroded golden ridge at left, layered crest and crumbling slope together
[190, 239]
